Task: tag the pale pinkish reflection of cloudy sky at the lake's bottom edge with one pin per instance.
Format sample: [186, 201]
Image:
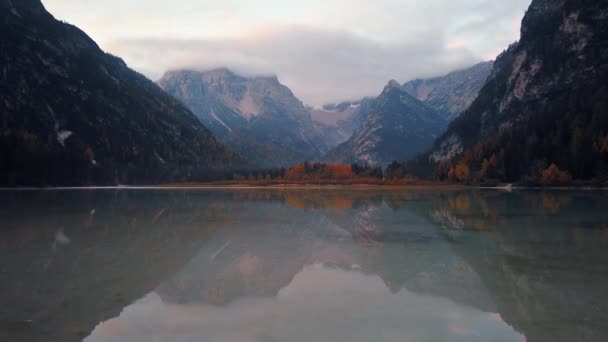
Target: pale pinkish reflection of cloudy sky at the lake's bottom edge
[320, 304]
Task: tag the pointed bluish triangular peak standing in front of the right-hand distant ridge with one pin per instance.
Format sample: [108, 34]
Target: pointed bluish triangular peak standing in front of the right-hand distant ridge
[398, 127]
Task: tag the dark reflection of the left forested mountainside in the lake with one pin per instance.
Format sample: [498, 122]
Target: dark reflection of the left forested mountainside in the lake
[73, 259]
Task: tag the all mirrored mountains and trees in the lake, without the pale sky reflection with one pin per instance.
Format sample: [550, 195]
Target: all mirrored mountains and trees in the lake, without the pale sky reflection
[543, 269]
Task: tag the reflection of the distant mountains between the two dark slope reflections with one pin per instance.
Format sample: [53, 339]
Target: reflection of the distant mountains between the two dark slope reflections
[397, 245]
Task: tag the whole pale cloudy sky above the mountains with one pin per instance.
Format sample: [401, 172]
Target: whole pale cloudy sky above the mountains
[324, 50]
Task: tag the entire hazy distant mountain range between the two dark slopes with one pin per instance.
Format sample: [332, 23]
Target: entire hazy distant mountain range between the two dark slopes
[263, 120]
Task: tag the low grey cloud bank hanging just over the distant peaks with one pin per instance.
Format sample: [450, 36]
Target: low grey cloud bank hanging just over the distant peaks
[319, 66]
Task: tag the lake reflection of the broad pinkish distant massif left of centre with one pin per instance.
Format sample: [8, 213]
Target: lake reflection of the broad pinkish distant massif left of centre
[245, 259]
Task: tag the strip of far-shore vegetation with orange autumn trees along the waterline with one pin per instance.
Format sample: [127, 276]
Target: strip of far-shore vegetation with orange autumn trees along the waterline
[339, 176]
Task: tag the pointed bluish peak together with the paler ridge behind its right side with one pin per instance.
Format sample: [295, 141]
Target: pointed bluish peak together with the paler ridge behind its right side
[405, 120]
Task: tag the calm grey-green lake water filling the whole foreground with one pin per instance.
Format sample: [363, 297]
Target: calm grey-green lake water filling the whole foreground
[303, 265]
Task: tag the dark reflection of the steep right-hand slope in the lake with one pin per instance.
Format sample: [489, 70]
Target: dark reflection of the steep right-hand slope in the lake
[544, 262]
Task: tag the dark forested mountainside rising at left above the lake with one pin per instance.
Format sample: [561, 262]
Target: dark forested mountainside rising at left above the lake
[74, 115]
